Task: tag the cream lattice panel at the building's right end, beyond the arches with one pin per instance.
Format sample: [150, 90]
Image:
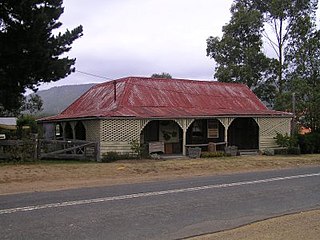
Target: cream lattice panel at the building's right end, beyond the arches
[272, 126]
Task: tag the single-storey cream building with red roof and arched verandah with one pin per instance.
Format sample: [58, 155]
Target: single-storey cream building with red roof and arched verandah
[177, 113]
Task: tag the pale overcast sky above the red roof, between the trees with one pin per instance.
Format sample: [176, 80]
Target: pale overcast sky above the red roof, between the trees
[141, 37]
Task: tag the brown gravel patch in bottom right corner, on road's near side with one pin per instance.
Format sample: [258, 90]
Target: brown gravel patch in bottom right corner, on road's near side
[305, 225]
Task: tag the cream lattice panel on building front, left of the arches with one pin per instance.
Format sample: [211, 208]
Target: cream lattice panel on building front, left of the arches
[118, 130]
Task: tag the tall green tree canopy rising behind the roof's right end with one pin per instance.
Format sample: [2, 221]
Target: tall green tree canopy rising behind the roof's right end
[244, 54]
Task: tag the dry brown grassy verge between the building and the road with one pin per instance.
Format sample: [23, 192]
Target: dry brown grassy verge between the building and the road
[55, 176]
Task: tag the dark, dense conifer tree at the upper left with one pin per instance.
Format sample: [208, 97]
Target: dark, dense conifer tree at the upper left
[30, 52]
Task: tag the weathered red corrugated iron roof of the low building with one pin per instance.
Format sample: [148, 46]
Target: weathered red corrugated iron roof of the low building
[141, 97]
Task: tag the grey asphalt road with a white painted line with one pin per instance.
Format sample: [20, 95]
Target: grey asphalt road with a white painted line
[159, 210]
